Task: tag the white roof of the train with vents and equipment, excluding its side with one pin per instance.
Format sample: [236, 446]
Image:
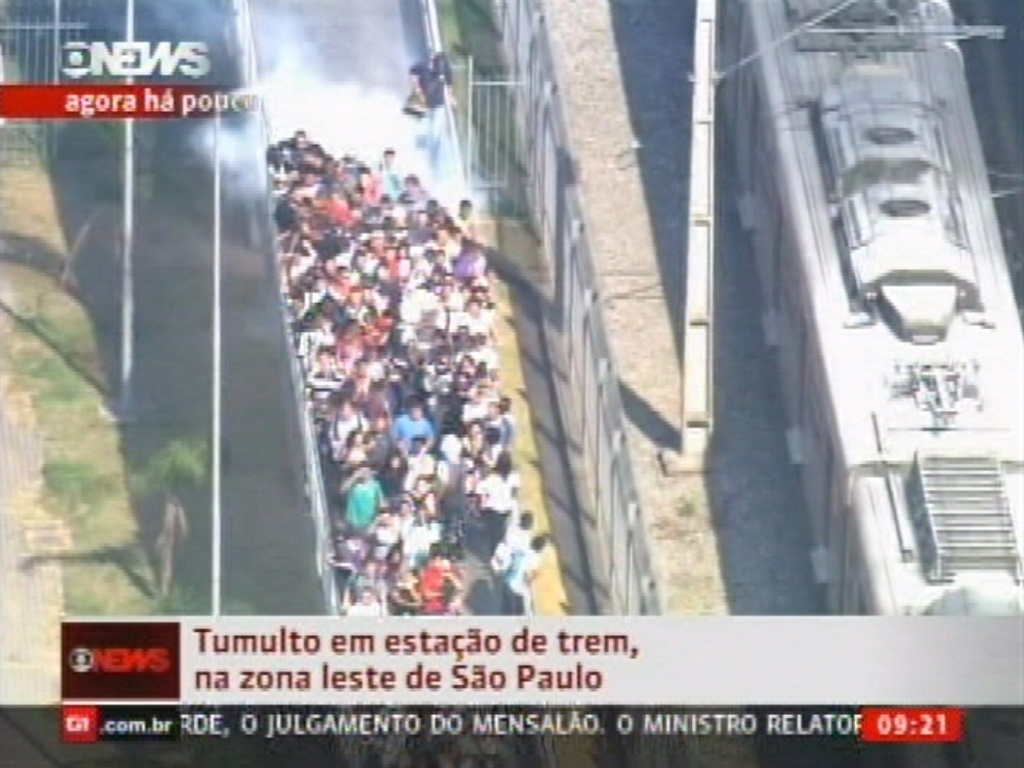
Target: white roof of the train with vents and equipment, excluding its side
[904, 264]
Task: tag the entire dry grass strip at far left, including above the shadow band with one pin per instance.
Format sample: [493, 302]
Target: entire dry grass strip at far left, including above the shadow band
[53, 360]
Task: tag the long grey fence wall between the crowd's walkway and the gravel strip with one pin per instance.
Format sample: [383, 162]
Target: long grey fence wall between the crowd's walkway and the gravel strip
[594, 408]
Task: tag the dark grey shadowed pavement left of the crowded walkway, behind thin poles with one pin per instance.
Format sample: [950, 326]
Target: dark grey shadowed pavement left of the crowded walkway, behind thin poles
[268, 535]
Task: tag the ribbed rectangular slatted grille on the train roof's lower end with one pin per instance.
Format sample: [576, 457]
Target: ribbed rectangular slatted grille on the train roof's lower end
[964, 518]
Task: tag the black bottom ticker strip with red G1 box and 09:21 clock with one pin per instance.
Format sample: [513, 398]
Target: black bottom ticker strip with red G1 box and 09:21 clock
[94, 723]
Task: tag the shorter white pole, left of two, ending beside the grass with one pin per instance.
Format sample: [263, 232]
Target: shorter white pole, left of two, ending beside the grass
[126, 405]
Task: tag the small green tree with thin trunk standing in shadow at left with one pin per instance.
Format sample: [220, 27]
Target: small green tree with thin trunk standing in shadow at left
[182, 466]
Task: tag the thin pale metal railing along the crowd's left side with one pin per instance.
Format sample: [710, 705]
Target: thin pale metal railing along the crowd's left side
[316, 491]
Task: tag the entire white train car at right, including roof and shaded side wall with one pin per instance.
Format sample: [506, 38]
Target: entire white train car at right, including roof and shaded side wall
[887, 297]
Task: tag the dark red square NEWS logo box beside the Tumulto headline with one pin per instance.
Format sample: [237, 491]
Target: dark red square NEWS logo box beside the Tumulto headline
[134, 661]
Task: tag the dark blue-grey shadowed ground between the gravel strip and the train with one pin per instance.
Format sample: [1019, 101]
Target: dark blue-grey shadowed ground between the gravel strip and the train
[759, 519]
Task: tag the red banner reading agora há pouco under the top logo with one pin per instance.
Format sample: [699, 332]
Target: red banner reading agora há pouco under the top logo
[98, 102]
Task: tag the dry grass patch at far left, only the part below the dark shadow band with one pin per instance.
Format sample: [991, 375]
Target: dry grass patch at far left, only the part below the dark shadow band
[84, 481]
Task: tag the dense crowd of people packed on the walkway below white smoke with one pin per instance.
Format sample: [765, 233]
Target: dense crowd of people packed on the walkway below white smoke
[392, 302]
